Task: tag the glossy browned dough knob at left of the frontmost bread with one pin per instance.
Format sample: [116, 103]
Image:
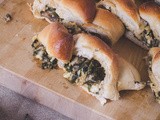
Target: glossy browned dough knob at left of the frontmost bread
[58, 42]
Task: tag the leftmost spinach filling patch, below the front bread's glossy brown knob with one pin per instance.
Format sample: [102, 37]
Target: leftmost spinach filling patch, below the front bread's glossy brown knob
[44, 60]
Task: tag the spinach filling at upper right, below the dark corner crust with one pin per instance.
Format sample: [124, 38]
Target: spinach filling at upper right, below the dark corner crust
[148, 38]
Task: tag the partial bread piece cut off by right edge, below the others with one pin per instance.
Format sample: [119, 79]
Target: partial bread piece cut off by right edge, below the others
[154, 71]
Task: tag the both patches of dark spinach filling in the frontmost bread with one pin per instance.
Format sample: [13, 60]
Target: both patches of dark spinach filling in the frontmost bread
[80, 70]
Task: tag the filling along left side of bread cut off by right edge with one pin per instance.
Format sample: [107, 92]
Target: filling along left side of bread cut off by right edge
[152, 85]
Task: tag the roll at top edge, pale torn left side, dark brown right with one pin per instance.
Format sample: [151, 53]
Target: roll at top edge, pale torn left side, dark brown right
[79, 11]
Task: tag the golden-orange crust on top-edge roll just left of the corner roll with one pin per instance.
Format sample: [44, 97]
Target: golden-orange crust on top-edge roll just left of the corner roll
[130, 7]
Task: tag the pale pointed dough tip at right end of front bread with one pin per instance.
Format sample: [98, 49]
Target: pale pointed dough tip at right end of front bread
[129, 78]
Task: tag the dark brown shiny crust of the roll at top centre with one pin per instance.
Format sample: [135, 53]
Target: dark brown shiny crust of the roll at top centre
[85, 8]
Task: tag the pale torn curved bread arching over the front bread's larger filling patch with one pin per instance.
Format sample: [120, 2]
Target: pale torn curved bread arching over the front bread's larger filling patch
[83, 47]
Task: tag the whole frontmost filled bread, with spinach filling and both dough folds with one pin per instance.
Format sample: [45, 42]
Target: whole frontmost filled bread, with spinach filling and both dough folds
[87, 62]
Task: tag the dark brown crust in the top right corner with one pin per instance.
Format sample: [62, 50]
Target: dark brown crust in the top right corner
[150, 9]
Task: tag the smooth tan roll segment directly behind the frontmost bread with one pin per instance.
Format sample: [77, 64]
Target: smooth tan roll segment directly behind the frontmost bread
[106, 25]
